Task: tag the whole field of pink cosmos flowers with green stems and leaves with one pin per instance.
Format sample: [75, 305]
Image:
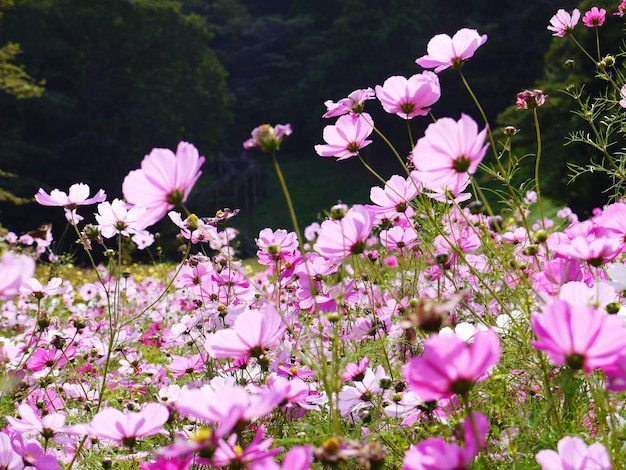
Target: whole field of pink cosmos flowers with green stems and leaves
[422, 329]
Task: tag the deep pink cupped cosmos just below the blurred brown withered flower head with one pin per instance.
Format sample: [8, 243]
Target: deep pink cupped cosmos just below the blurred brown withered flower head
[450, 366]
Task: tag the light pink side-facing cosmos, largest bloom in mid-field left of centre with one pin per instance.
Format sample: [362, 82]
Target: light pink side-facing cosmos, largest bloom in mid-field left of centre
[252, 335]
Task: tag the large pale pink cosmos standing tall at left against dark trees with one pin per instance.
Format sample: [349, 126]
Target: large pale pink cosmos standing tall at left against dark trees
[164, 180]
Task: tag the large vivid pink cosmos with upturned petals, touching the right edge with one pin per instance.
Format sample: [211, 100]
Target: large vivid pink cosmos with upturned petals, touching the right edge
[579, 336]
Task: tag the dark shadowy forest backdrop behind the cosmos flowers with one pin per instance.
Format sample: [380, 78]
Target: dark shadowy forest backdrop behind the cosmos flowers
[124, 76]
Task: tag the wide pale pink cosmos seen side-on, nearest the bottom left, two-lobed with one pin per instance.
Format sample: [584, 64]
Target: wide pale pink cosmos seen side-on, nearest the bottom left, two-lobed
[127, 427]
